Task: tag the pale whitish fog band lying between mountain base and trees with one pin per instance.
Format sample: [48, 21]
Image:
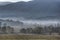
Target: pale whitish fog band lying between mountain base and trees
[33, 21]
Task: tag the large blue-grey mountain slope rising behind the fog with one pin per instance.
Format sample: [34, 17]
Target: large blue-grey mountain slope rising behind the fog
[33, 9]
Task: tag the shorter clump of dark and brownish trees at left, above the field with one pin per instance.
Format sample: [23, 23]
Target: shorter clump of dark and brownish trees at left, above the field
[6, 29]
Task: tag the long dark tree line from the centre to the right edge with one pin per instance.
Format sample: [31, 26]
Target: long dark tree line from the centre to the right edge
[42, 30]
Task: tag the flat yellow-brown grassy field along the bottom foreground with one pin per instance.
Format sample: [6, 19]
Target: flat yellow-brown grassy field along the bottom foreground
[28, 37]
